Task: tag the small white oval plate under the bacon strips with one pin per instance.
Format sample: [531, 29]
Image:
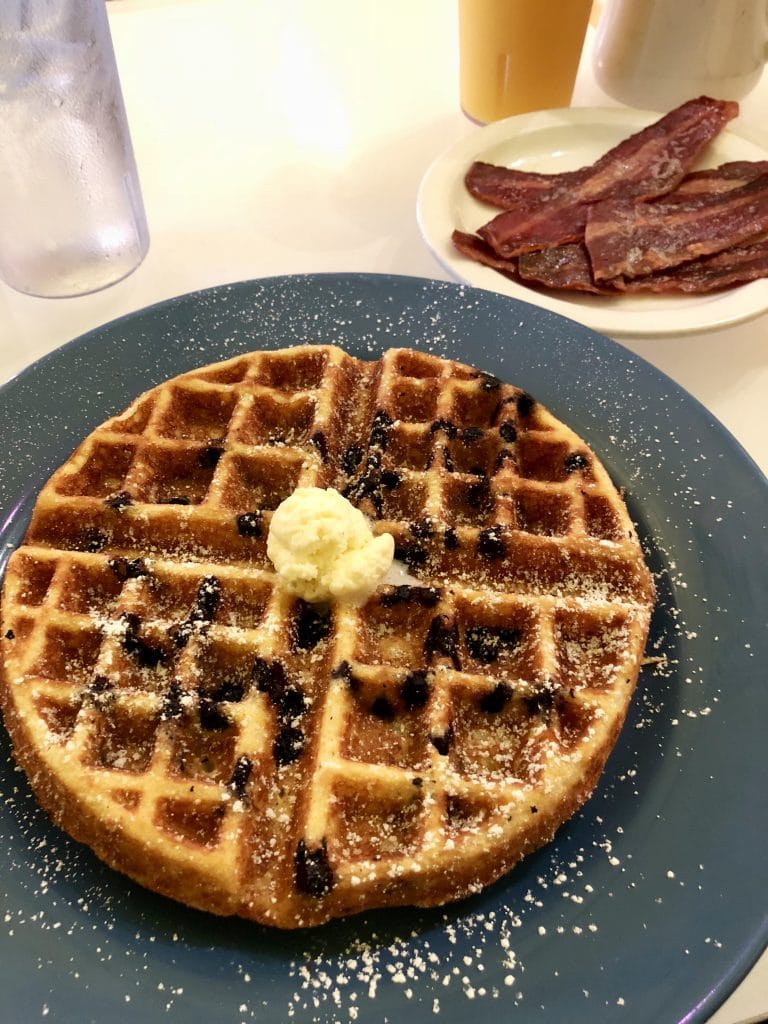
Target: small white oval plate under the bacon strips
[551, 142]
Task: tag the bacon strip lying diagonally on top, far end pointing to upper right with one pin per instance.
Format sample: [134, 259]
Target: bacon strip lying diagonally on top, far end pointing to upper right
[649, 164]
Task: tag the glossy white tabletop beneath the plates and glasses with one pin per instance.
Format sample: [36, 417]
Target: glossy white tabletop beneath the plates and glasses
[291, 137]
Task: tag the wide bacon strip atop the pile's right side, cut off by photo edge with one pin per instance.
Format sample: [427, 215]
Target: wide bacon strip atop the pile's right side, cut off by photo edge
[627, 240]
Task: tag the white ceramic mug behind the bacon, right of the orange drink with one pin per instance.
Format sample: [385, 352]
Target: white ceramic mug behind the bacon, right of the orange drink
[658, 54]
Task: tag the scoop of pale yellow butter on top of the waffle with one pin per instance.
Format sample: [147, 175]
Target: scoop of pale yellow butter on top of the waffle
[323, 547]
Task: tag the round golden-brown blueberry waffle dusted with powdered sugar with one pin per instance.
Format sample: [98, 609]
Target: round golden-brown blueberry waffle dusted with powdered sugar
[246, 753]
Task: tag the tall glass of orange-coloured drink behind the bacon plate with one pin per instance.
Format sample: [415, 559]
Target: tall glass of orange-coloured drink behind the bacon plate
[519, 56]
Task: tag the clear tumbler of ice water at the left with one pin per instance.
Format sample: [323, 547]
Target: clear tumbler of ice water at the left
[71, 211]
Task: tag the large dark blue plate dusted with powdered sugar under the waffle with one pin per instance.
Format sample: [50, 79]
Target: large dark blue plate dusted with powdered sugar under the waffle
[650, 907]
